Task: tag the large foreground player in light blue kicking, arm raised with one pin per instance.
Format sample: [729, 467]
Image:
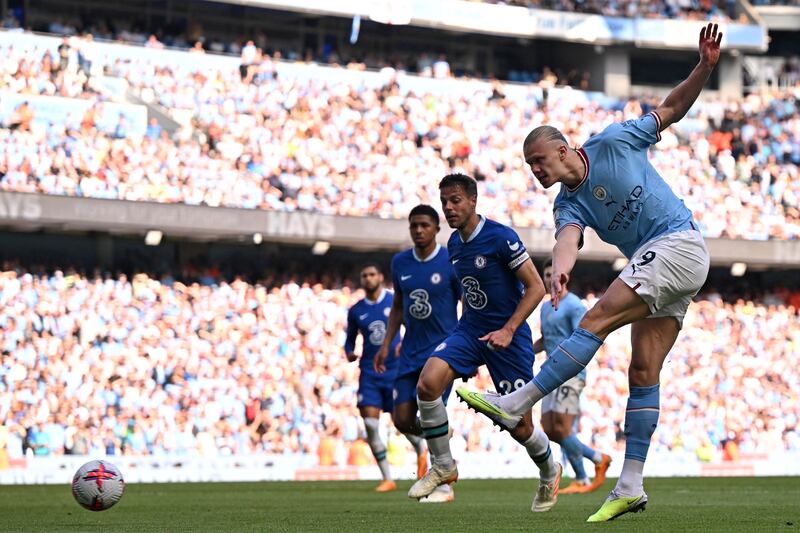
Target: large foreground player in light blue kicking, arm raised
[610, 186]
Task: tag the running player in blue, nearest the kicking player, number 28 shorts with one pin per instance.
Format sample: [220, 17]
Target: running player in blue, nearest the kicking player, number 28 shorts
[501, 289]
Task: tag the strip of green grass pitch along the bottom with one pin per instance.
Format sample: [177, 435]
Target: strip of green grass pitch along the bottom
[717, 504]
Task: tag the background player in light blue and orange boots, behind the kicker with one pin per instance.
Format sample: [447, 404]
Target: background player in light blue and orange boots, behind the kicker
[561, 408]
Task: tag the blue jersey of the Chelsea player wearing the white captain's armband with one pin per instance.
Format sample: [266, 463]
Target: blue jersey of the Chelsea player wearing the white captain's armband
[486, 264]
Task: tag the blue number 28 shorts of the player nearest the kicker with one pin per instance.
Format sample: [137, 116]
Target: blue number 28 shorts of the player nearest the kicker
[509, 369]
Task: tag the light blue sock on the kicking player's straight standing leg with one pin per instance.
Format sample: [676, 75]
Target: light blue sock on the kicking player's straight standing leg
[641, 419]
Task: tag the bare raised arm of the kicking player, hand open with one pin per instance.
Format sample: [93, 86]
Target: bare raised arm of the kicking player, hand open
[677, 104]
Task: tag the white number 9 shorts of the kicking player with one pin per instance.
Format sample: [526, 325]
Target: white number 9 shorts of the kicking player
[668, 271]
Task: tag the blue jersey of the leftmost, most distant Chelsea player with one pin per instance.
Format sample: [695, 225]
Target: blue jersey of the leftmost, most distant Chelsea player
[369, 319]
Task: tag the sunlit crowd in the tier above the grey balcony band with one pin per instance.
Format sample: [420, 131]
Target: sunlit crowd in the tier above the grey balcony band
[256, 138]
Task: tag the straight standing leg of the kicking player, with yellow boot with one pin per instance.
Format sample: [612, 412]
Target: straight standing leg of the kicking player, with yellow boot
[651, 341]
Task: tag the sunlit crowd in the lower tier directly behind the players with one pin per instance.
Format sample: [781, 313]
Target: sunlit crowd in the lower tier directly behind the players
[147, 366]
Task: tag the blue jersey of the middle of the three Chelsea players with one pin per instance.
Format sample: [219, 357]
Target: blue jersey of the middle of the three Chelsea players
[430, 292]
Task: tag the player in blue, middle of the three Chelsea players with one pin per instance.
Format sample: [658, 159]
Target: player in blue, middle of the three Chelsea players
[426, 295]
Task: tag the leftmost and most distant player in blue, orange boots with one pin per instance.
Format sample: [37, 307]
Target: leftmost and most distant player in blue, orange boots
[368, 317]
